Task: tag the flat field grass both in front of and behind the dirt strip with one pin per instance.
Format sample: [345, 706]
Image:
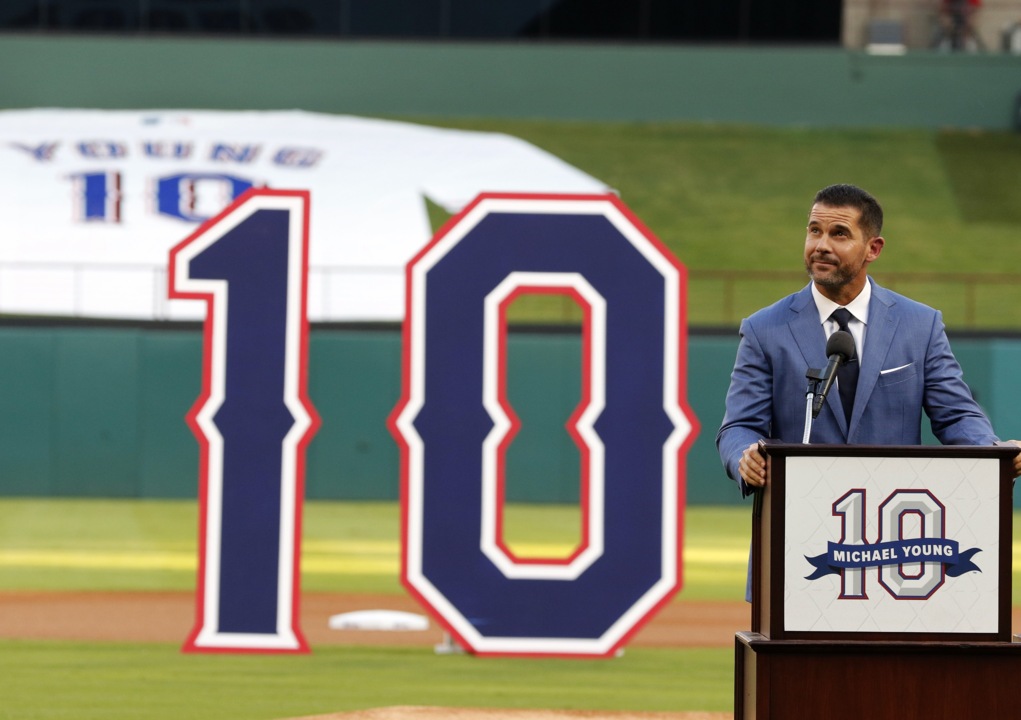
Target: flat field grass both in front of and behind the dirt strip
[80, 545]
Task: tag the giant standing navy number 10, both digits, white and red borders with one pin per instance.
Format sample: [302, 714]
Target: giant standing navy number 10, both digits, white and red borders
[254, 421]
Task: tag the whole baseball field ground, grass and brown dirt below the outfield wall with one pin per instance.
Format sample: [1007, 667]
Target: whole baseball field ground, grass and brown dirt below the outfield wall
[96, 599]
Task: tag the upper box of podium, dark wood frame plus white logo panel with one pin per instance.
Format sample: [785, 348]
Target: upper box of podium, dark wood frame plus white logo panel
[892, 544]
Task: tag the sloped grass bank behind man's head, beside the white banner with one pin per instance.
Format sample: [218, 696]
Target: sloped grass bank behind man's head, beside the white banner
[734, 199]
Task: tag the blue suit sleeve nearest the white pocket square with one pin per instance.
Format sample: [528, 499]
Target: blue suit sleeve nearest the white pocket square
[956, 418]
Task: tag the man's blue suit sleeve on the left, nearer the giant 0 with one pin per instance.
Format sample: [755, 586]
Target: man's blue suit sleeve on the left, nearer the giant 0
[749, 406]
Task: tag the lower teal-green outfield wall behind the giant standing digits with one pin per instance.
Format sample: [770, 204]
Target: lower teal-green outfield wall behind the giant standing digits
[101, 411]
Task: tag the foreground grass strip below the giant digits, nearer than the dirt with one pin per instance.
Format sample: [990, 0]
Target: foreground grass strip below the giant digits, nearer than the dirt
[115, 682]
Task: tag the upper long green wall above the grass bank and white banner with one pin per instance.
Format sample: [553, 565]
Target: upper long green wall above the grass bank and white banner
[823, 87]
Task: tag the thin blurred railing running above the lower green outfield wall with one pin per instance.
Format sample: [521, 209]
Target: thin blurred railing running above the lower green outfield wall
[715, 298]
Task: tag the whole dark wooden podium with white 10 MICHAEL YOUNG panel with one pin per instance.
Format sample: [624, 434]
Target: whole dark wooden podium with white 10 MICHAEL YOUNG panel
[881, 586]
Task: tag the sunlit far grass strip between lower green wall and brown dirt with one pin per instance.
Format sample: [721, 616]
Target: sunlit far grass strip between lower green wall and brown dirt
[117, 545]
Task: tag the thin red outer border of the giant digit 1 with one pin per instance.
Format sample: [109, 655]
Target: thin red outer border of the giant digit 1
[204, 444]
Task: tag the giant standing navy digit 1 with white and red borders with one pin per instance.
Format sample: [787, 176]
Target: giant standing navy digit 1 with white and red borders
[254, 419]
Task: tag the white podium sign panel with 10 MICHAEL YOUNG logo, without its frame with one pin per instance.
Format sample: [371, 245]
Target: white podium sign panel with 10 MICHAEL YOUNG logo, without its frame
[859, 529]
